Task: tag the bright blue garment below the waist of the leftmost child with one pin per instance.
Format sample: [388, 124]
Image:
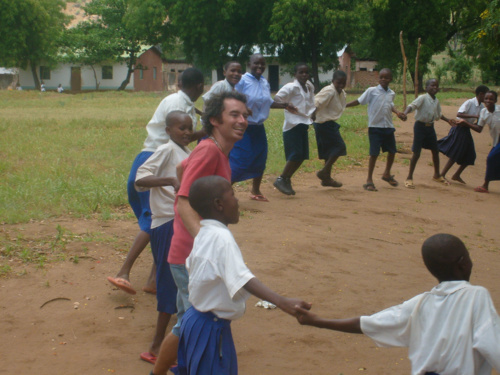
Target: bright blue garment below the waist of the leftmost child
[139, 201]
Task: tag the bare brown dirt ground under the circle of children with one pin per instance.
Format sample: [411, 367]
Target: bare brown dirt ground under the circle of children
[348, 251]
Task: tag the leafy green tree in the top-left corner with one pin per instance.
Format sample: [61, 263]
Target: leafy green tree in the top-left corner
[30, 31]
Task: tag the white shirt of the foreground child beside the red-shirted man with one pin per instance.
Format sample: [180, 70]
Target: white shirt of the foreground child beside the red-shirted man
[217, 272]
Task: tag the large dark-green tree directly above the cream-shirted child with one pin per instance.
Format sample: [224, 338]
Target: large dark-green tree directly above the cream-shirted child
[313, 31]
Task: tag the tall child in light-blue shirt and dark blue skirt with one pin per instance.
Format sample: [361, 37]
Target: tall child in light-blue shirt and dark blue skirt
[248, 157]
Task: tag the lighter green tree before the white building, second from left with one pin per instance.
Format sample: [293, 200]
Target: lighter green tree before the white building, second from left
[108, 26]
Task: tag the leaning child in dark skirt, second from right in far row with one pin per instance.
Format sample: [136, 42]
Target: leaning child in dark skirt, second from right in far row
[458, 145]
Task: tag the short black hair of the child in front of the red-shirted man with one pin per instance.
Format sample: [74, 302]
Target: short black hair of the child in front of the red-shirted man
[204, 191]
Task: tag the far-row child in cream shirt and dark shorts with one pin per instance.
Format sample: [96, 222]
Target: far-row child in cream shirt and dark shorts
[330, 102]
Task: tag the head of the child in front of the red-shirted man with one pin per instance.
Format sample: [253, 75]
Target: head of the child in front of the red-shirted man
[212, 197]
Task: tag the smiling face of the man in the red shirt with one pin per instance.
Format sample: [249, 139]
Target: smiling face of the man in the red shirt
[233, 121]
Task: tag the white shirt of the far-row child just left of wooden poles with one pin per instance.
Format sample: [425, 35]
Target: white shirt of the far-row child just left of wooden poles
[380, 104]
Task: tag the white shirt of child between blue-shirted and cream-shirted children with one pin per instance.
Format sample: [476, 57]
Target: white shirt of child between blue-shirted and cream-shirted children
[293, 93]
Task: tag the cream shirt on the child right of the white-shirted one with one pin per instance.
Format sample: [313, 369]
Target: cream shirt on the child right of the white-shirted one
[330, 104]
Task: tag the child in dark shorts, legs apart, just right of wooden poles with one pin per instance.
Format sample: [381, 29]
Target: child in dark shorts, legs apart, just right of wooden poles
[428, 110]
